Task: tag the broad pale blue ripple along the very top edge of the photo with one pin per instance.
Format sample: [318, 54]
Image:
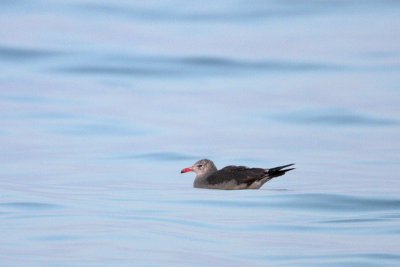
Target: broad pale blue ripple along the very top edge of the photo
[235, 12]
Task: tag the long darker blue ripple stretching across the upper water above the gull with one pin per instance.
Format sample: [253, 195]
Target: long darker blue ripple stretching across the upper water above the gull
[154, 66]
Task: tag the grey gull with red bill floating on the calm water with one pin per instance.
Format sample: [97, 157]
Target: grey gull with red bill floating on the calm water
[232, 177]
